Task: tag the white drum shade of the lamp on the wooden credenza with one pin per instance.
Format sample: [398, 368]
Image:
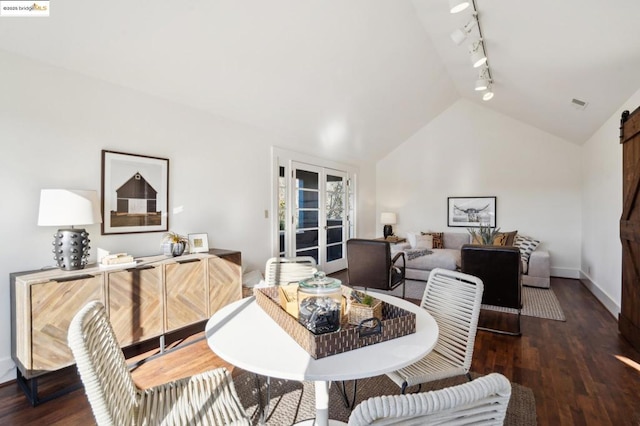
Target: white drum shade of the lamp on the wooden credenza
[62, 207]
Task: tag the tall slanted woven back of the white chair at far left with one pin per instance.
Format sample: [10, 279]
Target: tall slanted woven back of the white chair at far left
[102, 366]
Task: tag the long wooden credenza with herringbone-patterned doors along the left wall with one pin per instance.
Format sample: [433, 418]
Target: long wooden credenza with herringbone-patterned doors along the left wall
[159, 296]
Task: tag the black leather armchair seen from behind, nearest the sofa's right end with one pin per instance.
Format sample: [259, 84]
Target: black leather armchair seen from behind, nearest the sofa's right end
[500, 269]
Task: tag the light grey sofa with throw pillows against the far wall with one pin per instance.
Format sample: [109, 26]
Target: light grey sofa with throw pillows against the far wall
[536, 272]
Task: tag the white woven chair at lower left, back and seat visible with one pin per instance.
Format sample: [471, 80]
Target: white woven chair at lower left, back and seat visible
[205, 399]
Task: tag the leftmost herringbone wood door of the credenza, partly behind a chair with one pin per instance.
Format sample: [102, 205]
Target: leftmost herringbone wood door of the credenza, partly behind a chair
[53, 305]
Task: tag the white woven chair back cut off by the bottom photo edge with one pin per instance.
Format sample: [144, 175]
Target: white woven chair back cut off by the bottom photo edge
[483, 401]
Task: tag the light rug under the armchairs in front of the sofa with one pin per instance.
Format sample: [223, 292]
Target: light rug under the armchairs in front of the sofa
[536, 302]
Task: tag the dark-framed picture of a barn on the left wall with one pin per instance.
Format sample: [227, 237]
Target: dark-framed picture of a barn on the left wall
[135, 193]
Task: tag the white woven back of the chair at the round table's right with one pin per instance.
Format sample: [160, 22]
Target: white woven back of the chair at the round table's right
[454, 300]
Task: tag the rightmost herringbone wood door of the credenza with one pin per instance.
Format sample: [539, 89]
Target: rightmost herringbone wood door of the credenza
[225, 281]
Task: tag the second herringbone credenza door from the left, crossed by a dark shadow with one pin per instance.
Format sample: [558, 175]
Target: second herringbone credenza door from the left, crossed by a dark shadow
[135, 304]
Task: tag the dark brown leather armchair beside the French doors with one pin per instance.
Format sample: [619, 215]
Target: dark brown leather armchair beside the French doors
[370, 265]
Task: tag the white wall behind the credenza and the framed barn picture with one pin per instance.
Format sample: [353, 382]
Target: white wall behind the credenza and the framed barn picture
[54, 125]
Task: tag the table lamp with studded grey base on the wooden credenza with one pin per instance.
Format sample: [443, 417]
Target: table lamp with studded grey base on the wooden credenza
[67, 207]
